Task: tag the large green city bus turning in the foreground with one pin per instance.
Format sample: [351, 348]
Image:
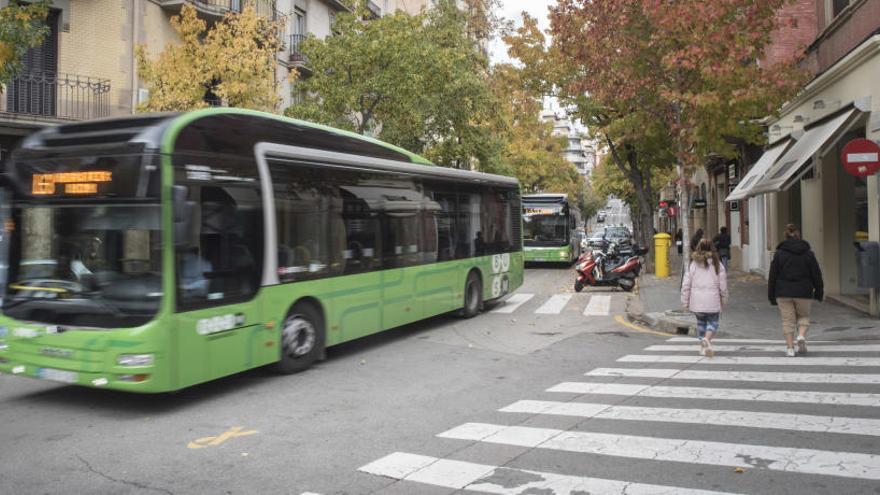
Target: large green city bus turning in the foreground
[159, 251]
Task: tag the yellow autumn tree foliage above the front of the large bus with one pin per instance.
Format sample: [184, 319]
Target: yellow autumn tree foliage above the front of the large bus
[234, 60]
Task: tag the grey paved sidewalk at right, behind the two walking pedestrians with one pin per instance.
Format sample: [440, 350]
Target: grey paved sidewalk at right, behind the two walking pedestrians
[657, 304]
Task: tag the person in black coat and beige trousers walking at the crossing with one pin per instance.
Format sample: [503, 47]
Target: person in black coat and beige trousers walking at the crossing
[795, 279]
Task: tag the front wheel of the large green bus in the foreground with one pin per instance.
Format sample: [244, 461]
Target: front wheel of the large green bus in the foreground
[301, 339]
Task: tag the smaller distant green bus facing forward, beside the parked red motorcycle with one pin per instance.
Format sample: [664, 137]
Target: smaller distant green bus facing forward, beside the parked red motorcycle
[550, 228]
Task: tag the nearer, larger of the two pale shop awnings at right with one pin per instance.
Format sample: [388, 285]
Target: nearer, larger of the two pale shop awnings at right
[796, 161]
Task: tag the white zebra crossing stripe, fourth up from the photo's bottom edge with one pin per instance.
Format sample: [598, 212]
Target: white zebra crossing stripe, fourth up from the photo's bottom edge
[668, 392]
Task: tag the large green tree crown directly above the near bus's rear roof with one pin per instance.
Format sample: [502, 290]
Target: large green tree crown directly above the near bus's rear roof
[419, 82]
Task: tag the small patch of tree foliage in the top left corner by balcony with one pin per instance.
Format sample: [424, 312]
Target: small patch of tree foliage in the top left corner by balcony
[21, 27]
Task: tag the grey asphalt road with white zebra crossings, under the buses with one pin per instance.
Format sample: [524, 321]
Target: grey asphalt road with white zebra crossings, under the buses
[497, 404]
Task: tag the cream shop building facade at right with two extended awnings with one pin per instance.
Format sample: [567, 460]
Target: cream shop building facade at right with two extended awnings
[799, 177]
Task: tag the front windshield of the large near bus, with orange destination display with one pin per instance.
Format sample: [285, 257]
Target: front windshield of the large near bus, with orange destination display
[85, 241]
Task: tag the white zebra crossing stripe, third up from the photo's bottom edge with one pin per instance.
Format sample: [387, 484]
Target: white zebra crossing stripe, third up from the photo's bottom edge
[713, 417]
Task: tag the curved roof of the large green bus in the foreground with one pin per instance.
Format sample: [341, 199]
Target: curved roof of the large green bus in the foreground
[232, 131]
